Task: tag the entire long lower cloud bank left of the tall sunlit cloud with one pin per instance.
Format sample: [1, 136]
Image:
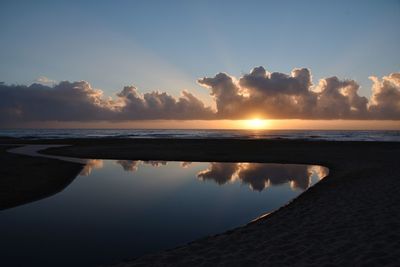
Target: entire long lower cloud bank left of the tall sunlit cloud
[78, 101]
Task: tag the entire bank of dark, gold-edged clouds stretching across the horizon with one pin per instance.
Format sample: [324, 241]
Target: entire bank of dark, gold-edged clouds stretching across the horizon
[260, 93]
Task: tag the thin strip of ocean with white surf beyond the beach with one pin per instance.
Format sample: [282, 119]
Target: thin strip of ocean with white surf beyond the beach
[334, 135]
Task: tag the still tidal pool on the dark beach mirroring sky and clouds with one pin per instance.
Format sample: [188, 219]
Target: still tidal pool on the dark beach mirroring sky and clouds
[120, 209]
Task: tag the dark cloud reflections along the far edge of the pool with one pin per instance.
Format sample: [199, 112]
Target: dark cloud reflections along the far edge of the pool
[259, 176]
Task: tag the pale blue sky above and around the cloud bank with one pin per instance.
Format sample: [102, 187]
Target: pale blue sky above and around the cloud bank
[170, 46]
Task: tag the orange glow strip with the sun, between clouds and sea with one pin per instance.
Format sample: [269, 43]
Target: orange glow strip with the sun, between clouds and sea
[251, 124]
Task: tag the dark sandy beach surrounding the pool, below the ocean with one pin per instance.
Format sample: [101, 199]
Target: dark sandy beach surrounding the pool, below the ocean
[349, 218]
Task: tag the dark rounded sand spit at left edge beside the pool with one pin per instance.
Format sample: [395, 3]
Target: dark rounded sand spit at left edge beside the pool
[25, 179]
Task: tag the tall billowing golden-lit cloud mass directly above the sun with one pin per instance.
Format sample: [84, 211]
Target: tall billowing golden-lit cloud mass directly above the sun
[283, 96]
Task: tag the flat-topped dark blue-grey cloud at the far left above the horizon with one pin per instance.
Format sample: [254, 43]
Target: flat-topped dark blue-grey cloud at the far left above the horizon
[64, 102]
